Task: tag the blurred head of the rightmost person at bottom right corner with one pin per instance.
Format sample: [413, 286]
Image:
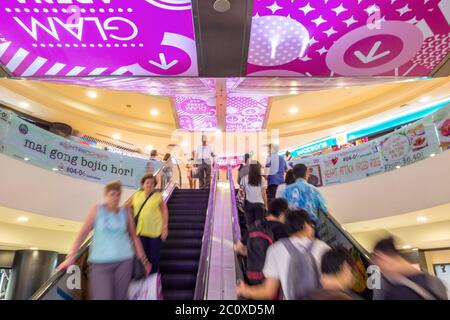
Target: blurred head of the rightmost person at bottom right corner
[386, 256]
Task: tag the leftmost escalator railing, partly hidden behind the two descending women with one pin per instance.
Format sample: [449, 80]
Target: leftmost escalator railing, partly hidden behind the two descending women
[55, 278]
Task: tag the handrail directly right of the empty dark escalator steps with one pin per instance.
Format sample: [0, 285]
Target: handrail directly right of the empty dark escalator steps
[201, 284]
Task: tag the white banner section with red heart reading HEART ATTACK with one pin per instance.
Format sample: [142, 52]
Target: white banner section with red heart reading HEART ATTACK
[351, 164]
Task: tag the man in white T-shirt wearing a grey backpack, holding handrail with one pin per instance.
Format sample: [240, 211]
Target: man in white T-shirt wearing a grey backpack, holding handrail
[281, 268]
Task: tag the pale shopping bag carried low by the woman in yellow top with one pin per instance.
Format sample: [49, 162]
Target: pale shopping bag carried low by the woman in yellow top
[148, 288]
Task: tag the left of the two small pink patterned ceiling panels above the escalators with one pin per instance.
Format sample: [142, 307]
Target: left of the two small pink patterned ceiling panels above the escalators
[196, 113]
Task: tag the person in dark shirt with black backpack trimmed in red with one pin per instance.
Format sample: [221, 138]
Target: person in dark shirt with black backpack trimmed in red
[260, 237]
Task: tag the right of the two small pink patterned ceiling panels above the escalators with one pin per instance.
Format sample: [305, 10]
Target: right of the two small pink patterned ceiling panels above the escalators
[246, 113]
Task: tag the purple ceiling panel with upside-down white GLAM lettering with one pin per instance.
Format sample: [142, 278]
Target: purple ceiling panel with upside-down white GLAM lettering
[92, 38]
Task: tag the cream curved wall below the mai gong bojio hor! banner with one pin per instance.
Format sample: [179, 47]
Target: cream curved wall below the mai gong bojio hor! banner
[29, 188]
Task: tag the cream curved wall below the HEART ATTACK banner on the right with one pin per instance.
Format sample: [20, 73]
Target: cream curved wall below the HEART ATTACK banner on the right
[415, 187]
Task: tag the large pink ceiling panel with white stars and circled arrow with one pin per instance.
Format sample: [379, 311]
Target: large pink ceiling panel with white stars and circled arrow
[324, 38]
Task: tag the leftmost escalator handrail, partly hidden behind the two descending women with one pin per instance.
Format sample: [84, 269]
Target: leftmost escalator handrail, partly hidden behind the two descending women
[45, 288]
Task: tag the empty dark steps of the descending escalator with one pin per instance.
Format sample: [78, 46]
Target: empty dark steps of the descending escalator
[180, 253]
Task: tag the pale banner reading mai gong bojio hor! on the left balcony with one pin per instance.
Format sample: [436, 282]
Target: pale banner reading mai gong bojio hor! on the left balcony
[39, 147]
